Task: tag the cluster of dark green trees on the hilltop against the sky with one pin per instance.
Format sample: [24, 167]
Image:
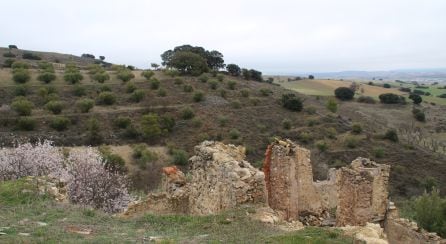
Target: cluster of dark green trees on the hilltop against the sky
[195, 60]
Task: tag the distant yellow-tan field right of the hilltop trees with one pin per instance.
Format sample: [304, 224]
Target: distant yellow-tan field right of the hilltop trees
[327, 87]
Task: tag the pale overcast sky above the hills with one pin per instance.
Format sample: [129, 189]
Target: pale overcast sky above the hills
[276, 36]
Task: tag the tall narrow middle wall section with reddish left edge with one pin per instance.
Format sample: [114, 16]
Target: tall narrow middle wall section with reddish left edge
[290, 181]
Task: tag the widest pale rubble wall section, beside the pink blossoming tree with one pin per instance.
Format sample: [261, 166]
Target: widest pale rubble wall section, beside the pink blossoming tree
[221, 179]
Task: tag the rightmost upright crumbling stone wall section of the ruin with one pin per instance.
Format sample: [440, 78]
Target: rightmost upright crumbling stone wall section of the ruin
[362, 192]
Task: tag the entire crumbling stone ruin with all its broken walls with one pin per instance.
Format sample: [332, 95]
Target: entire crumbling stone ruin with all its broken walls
[220, 178]
